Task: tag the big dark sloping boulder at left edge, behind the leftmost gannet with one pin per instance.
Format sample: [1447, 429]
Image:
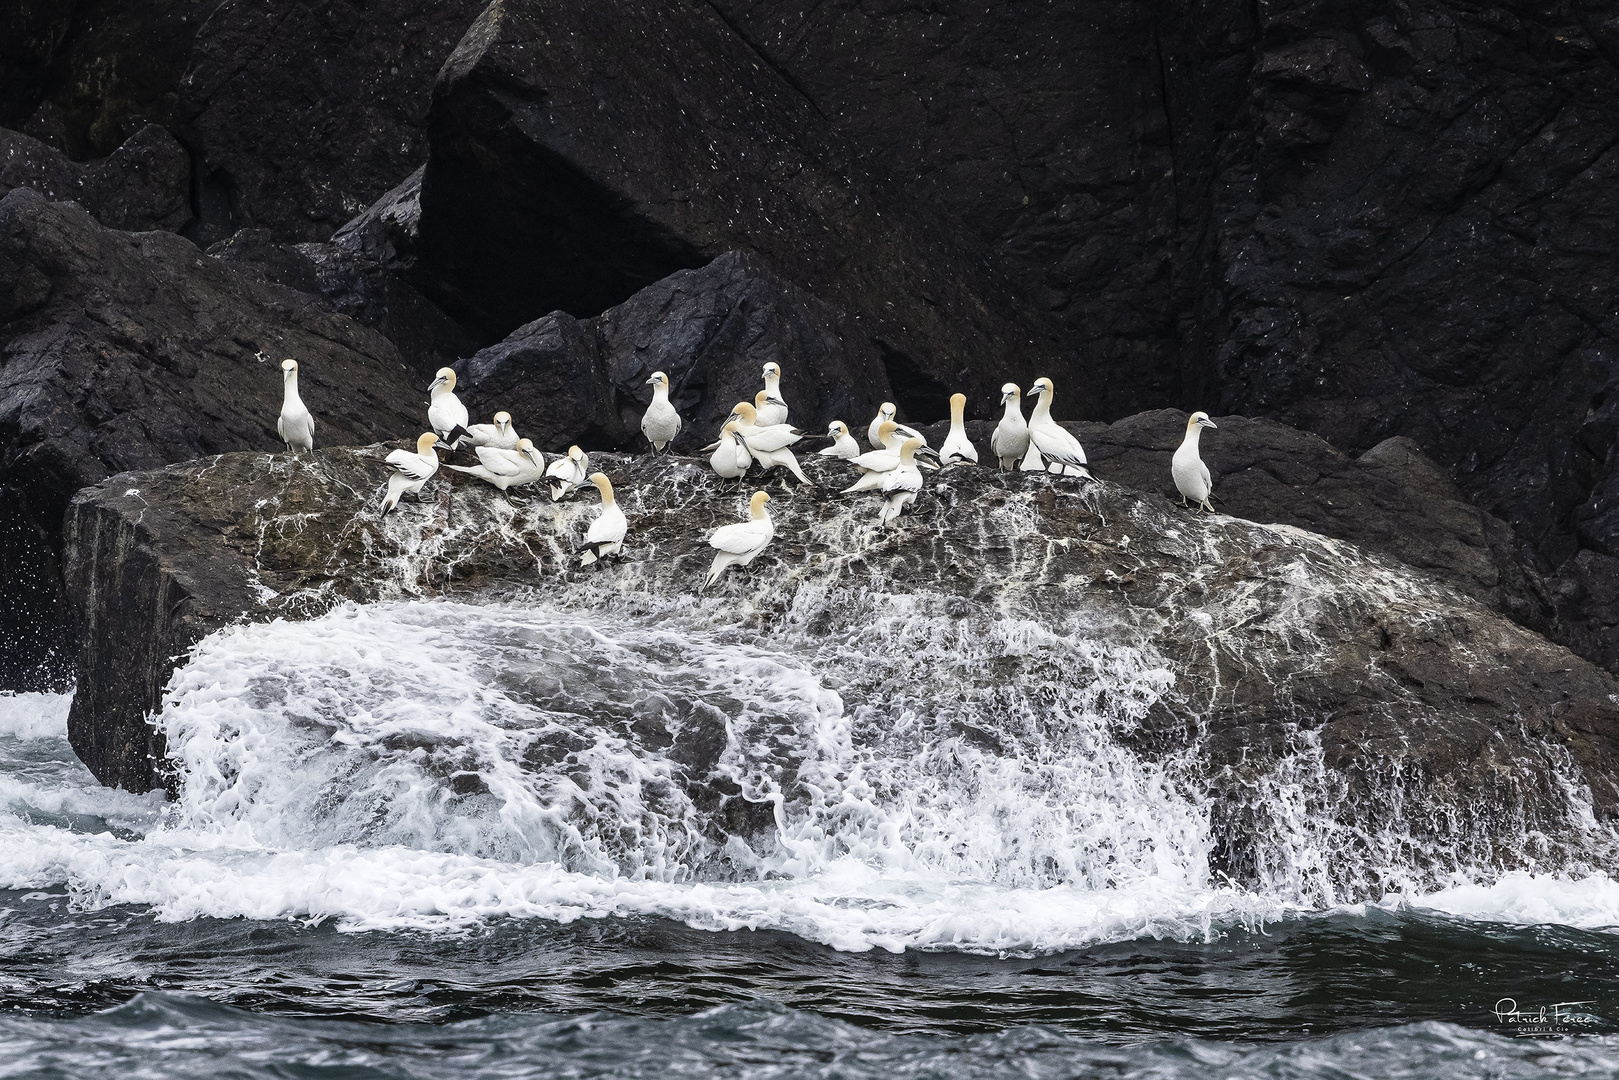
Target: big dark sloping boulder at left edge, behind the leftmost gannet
[134, 351]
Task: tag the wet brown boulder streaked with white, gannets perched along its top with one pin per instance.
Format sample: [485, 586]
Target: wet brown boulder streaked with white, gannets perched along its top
[1327, 702]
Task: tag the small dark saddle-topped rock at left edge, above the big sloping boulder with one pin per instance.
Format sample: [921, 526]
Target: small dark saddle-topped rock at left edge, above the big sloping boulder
[145, 184]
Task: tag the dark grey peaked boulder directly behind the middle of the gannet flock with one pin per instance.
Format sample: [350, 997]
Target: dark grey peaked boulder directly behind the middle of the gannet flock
[712, 331]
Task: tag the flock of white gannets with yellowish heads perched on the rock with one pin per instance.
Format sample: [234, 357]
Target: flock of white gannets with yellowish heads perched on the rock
[755, 435]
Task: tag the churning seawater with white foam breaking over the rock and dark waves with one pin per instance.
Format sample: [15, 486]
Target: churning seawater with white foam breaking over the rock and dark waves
[436, 840]
